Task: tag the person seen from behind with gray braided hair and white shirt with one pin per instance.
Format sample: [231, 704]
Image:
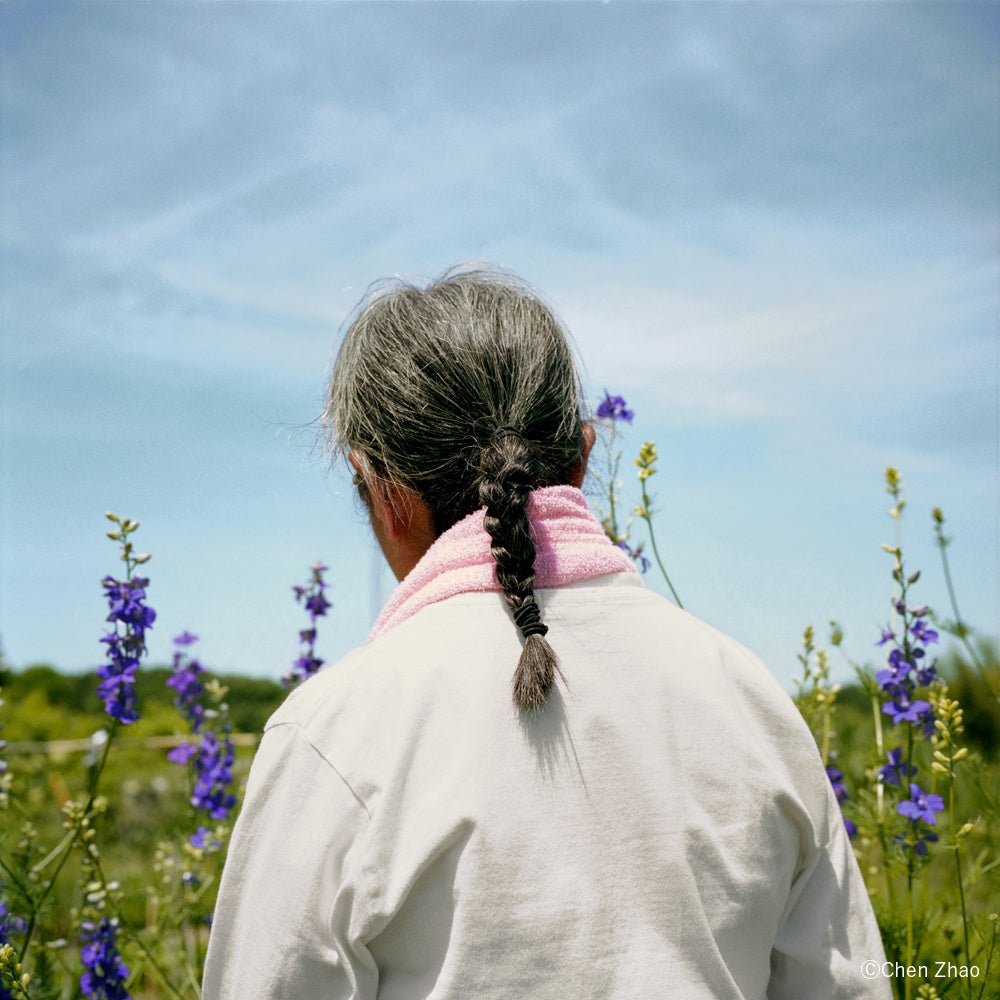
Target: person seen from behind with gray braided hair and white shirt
[538, 779]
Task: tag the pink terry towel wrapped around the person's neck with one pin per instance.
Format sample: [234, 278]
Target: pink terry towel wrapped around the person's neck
[570, 545]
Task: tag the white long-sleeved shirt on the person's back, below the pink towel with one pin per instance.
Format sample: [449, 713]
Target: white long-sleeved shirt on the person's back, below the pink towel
[664, 828]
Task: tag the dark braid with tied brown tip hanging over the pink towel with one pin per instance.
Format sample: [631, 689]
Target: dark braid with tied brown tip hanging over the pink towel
[508, 474]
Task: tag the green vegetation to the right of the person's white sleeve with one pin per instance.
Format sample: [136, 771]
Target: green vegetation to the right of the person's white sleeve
[925, 916]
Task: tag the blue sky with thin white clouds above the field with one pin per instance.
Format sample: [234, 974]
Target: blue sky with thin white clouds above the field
[772, 227]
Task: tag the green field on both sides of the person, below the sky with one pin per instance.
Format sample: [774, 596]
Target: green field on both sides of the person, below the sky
[50, 719]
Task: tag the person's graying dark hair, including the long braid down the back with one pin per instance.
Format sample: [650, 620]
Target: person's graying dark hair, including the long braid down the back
[466, 392]
